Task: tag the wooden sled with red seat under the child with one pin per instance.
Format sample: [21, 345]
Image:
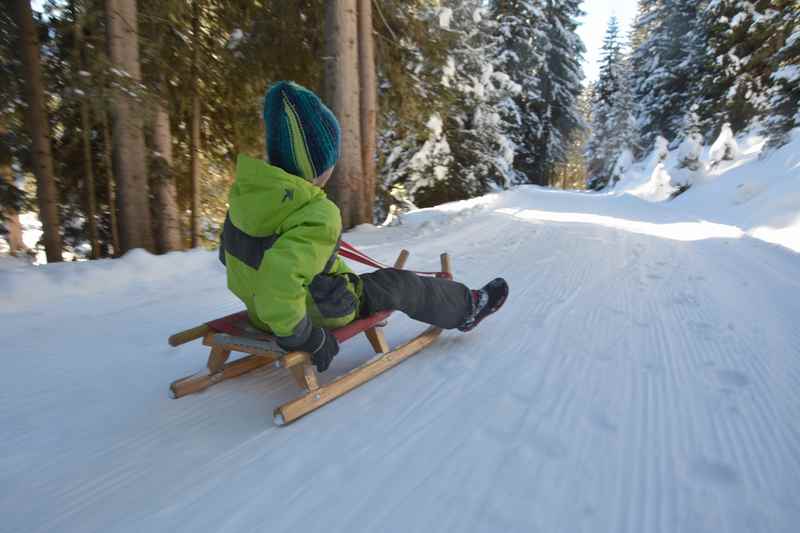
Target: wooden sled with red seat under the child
[234, 333]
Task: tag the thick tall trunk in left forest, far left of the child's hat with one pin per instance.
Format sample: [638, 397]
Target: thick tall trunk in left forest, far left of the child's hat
[135, 229]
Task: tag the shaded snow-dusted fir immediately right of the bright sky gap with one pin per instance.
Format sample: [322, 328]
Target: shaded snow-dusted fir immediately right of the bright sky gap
[666, 63]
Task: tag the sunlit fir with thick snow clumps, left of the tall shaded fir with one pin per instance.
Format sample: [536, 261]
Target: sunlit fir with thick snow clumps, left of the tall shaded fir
[480, 123]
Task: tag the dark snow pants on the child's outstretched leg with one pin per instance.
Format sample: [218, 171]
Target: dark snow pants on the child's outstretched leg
[436, 301]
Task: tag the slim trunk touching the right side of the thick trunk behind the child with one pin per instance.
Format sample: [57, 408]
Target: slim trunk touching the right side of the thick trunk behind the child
[369, 104]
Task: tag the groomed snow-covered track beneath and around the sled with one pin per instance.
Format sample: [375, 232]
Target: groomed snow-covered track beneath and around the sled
[644, 376]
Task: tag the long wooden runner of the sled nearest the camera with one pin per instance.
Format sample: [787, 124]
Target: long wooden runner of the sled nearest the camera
[293, 410]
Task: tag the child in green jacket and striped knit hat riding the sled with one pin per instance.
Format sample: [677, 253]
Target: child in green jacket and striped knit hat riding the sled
[281, 235]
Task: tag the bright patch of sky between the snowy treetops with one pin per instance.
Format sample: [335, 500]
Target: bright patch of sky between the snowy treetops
[594, 27]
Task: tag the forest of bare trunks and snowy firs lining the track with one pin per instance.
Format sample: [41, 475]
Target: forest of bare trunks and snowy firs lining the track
[121, 120]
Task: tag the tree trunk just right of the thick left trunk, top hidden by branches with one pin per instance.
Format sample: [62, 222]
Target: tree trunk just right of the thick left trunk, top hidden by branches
[168, 235]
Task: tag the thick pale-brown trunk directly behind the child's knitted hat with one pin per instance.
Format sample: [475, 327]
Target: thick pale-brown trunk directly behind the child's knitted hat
[341, 92]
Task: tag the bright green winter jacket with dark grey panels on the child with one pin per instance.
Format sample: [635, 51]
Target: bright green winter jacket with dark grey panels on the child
[279, 247]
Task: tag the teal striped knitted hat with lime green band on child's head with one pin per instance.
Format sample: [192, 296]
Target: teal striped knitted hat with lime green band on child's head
[303, 135]
